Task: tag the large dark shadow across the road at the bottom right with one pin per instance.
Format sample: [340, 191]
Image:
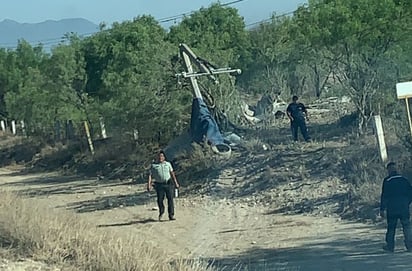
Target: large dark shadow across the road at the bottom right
[333, 255]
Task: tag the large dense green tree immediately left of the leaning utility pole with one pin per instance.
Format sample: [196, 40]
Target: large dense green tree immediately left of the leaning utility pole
[129, 68]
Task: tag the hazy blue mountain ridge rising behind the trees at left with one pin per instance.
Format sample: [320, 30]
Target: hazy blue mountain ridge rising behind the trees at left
[49, 33]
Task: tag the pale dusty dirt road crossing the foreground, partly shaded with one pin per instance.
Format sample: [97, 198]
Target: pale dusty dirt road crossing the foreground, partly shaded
[228, 233]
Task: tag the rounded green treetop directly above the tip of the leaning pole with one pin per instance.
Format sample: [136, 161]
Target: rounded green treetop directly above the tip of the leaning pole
[217, 33]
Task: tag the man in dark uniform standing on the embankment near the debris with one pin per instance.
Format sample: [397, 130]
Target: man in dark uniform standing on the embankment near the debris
[297, 113]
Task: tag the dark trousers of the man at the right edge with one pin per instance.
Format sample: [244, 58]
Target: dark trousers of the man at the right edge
[392, 220]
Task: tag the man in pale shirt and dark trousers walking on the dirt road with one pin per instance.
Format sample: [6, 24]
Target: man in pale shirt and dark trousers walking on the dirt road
[164, 183]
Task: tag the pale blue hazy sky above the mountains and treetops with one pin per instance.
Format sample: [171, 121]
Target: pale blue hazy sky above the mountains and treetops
[109, 11]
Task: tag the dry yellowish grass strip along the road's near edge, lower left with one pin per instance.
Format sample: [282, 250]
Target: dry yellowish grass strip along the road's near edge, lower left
[61, 238]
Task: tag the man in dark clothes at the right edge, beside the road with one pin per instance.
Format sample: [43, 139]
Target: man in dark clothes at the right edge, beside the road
[395, 200]
